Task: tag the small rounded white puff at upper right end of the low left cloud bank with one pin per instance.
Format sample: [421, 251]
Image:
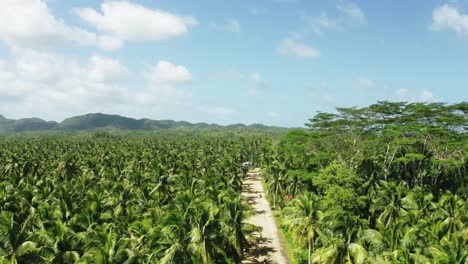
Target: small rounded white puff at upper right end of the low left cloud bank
[165, 72]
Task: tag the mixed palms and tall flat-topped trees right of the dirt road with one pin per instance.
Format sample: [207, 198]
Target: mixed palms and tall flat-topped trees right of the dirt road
[385, 183]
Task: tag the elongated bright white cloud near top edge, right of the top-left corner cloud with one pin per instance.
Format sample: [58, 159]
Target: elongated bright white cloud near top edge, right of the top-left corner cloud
[128, 21]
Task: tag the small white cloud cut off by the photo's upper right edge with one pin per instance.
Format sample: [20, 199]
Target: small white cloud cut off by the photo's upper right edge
[450, 18]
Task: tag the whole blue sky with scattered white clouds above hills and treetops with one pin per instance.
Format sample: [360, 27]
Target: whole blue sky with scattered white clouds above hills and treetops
[275, 62]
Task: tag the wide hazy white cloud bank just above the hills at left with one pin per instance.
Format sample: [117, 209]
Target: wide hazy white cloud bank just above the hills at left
[40, 83]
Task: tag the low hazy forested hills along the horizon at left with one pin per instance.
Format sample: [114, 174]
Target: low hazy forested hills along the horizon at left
[114, 122]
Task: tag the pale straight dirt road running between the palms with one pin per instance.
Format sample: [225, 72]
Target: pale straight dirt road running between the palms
[270, 248]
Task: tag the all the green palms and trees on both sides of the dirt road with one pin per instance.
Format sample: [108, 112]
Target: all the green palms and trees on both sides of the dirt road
[380, 184]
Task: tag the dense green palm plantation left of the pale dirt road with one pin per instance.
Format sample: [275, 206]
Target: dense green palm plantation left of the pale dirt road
[98, 198]
